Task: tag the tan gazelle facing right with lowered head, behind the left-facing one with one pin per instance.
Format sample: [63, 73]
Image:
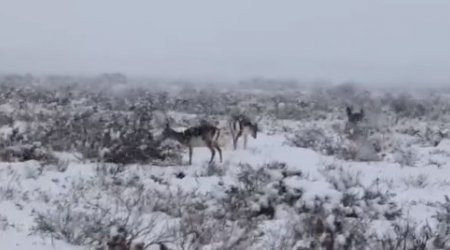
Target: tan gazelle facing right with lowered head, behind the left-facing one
[241, 125]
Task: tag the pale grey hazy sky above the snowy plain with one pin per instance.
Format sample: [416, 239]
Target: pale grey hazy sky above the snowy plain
[361, 40]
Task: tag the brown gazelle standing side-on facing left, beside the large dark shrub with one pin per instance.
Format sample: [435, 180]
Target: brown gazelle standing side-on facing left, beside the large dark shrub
[205, 134]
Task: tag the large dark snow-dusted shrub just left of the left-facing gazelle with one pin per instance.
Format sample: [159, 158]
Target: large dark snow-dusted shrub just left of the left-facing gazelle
[117, 138]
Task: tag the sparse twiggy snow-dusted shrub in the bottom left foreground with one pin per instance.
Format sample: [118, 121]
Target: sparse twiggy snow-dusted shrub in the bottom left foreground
[80, 219]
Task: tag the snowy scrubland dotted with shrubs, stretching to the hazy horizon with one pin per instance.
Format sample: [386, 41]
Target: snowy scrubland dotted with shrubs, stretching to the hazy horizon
[303, 183]
